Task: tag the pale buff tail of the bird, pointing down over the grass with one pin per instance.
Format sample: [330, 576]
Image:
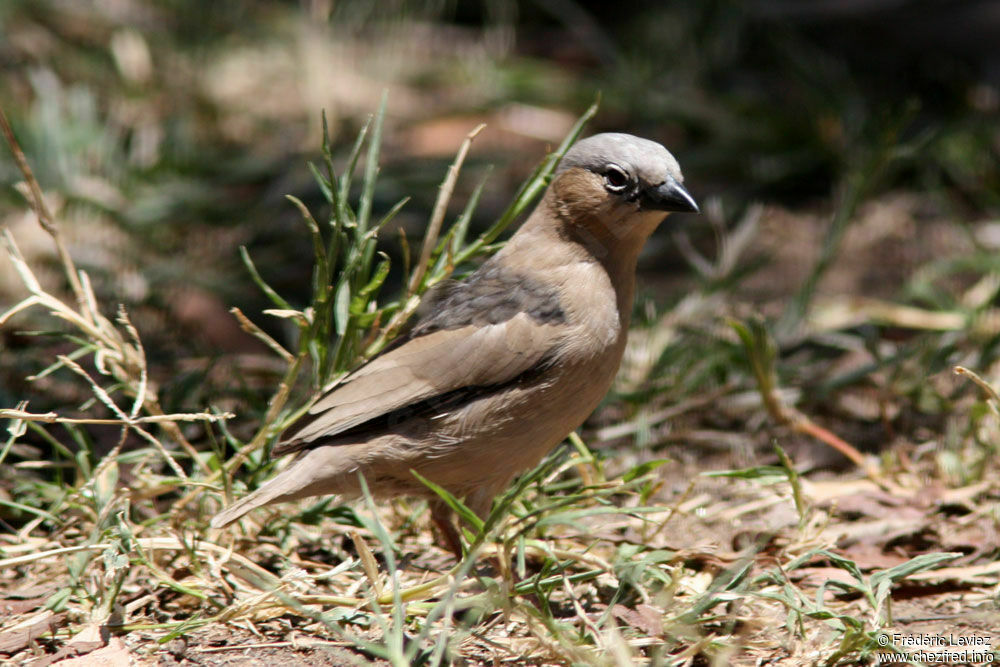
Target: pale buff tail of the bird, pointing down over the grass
[312, 475]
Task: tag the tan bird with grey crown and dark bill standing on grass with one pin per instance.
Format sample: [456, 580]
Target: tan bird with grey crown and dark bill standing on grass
[504, 364]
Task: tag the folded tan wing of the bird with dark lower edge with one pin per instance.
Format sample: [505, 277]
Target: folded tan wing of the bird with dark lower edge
[426, 366]
